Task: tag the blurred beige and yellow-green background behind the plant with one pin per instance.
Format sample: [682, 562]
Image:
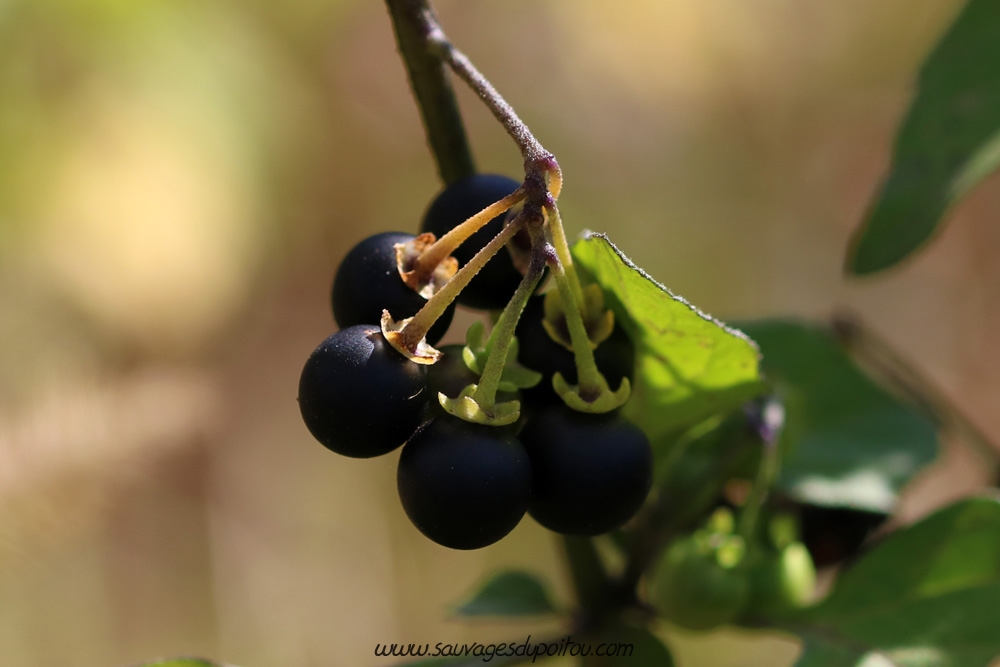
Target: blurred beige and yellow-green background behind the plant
[179, 179]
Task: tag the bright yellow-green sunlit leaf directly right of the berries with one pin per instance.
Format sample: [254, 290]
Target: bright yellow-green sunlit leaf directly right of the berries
[690, 366]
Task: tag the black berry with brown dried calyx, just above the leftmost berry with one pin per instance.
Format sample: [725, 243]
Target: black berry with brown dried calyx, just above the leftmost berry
[368, 281]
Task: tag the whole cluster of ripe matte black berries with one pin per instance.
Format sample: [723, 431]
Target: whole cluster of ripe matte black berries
[466, 485]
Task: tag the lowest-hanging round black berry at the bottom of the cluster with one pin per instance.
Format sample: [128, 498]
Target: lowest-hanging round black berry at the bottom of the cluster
[464, 485]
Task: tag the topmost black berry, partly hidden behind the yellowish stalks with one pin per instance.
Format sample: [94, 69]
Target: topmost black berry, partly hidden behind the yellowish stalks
[492, 287]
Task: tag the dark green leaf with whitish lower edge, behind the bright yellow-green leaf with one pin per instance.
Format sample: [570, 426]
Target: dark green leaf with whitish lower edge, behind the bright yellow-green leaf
[847, 441]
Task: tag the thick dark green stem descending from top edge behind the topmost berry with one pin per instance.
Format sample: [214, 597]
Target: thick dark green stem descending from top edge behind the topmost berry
[412, 21]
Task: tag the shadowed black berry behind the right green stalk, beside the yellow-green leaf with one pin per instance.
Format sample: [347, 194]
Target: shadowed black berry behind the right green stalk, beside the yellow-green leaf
[615, 356]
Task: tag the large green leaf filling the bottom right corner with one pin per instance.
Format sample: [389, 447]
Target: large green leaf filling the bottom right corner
[926, 597]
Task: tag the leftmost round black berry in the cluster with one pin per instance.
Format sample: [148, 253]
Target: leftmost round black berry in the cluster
[358, 396]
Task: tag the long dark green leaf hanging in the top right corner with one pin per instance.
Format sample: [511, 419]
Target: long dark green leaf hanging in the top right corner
[948, 143]
